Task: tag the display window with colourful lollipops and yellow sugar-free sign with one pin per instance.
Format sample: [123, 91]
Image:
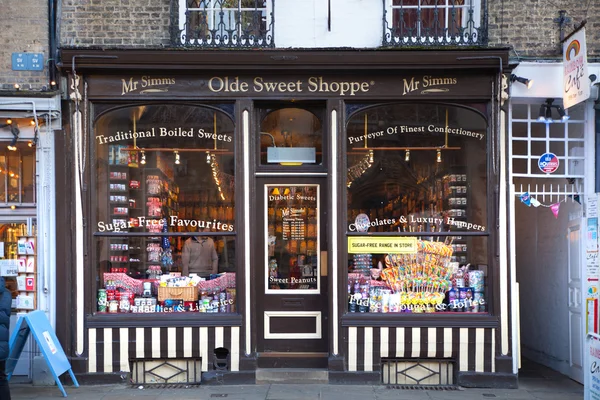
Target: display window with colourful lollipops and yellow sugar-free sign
[417, 221]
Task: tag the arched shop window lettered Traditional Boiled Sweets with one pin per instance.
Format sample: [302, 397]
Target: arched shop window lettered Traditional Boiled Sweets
[165, 210]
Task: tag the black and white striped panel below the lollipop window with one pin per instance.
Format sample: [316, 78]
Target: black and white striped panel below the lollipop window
[472, 349]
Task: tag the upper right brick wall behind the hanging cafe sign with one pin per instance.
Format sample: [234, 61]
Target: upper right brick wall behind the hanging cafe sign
[527, 25]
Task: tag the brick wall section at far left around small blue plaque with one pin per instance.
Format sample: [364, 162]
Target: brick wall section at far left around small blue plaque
[24, 28]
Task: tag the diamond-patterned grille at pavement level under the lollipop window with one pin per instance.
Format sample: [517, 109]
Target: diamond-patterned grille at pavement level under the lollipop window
[429, 374]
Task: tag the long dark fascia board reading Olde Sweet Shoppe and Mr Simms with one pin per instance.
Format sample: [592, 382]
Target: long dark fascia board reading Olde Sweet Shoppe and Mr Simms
[434, 85]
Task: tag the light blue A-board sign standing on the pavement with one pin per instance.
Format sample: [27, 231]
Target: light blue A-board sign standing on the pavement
[36, 323]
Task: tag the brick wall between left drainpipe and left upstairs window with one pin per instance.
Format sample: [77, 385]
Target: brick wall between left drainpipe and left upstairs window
[115, 23]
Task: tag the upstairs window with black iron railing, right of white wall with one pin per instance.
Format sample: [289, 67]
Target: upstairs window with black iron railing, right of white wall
[415, 23]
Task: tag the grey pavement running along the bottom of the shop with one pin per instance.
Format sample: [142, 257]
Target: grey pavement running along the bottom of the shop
[535, 383]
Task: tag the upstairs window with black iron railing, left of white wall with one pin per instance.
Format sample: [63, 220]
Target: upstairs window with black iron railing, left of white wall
[223, 23]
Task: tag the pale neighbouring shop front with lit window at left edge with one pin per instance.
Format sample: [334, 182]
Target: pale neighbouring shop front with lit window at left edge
[27, 240]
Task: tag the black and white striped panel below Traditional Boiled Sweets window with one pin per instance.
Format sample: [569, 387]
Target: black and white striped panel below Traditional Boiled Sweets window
[111, 349]
